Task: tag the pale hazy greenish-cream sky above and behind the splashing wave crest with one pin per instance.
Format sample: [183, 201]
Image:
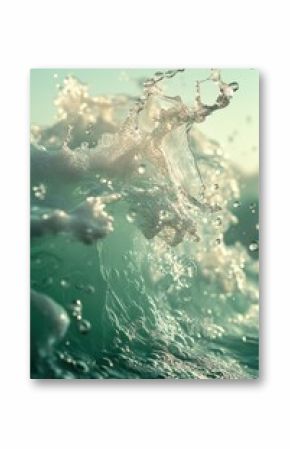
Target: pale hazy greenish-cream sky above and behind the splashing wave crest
[236, 127]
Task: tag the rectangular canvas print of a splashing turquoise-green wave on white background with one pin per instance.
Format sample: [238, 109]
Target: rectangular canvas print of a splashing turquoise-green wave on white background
[136, 270]
